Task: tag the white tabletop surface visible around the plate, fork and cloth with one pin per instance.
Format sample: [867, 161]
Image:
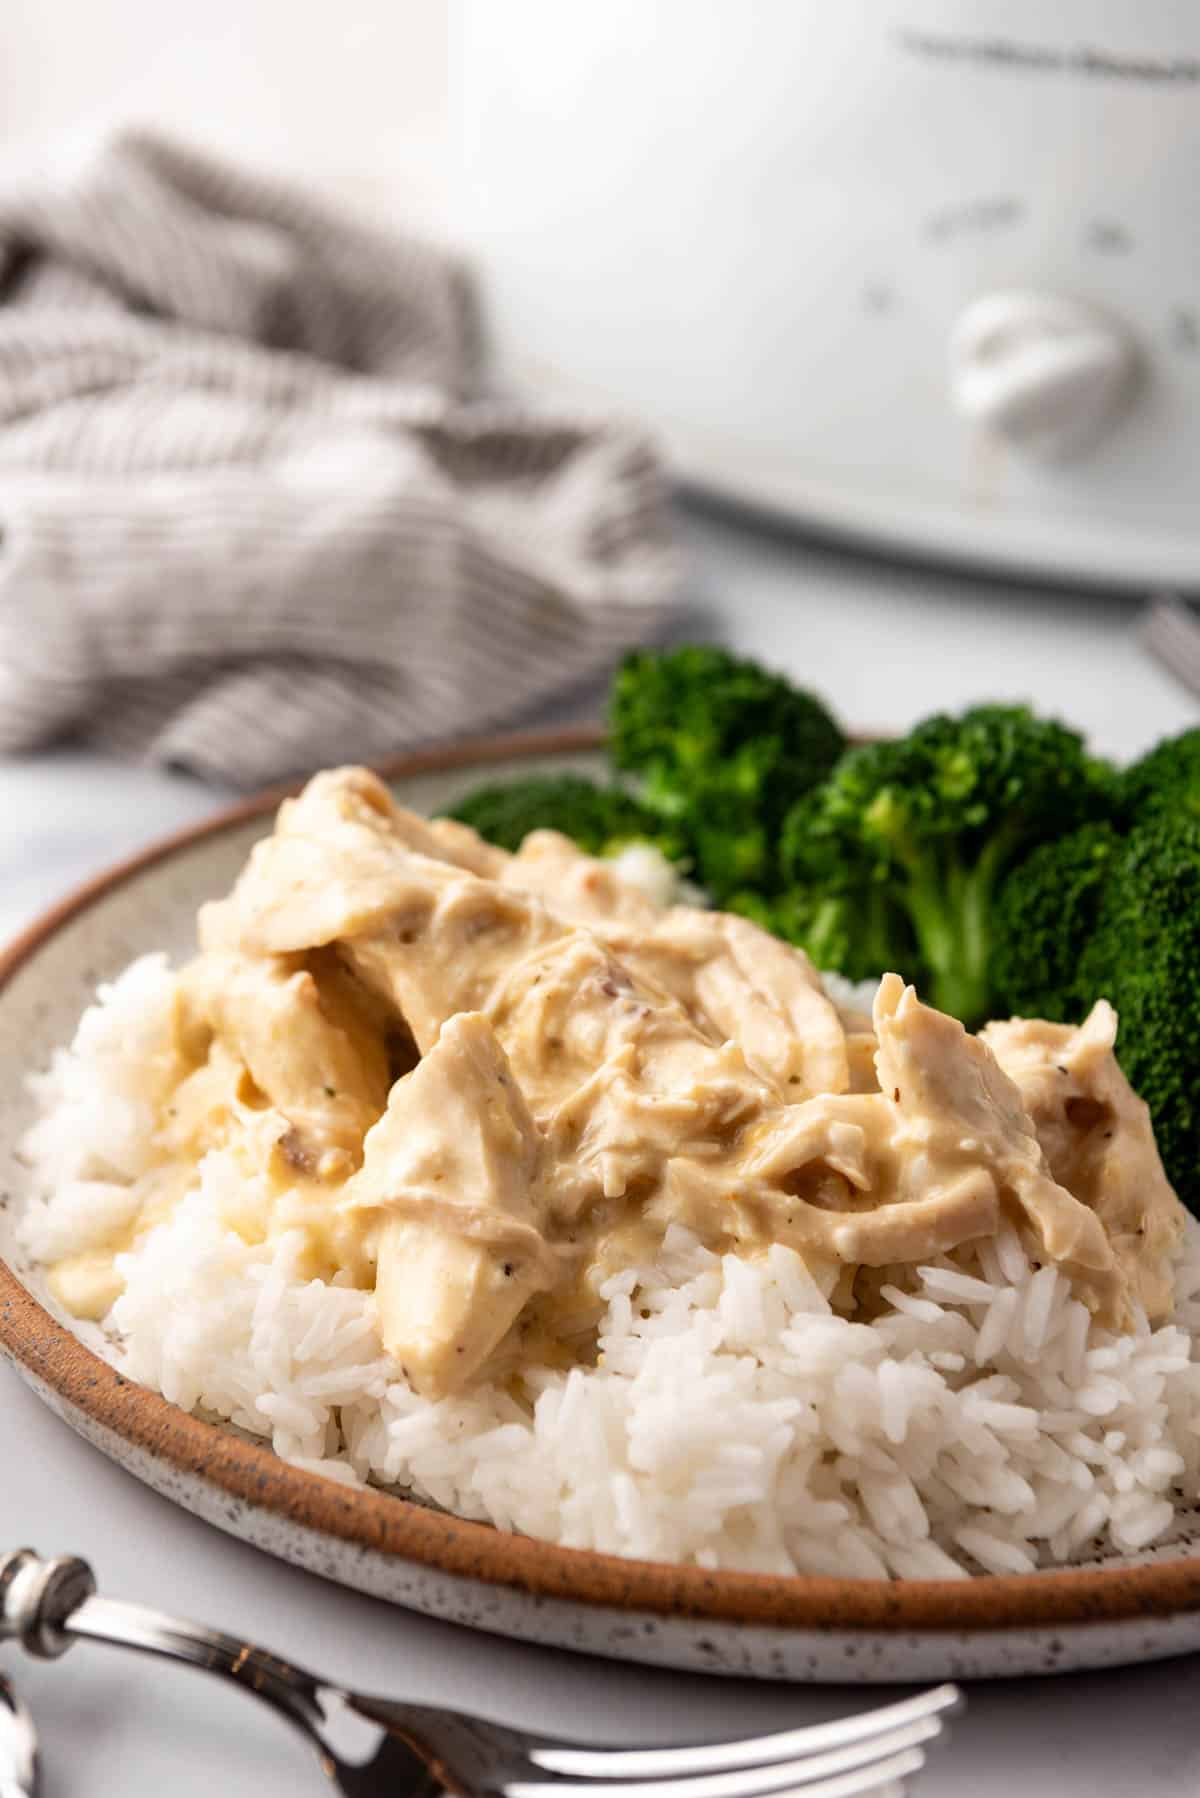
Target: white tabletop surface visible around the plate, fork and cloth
[886, 646]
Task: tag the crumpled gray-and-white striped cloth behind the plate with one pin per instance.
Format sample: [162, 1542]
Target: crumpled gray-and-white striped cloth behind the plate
[253, 517]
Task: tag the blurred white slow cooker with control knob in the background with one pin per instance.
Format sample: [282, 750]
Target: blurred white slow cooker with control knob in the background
[924, 274]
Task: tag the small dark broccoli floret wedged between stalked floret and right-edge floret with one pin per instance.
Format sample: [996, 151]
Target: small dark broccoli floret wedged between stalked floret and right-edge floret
[1044, 920]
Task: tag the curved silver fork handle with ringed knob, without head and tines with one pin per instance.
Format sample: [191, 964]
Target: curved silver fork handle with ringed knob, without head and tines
[49, 1605]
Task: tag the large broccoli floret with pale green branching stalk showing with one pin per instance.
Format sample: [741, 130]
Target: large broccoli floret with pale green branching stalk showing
[936, 819]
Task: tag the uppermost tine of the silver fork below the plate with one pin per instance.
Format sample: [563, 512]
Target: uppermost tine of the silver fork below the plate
[760, 1750]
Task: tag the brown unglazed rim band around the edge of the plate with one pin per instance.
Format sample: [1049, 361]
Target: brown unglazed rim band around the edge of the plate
[395, 1527]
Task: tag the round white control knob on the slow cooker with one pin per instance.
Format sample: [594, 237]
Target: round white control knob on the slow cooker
[1043, 371]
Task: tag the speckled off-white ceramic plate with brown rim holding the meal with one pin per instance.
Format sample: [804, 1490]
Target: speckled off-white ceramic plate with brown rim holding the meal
[467, 1572]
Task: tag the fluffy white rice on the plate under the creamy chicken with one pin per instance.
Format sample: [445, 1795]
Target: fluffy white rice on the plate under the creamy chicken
[981, 1423]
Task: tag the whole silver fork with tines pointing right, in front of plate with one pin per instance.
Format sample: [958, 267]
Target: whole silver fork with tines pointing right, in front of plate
[377, 1749]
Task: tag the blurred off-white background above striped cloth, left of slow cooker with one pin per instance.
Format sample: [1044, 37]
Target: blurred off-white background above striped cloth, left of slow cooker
[354, 96]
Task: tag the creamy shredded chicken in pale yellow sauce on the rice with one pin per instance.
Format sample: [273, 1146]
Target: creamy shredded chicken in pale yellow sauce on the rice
[483, 1083]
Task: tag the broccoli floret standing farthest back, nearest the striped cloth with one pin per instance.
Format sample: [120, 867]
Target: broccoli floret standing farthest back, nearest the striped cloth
[722, 749]
